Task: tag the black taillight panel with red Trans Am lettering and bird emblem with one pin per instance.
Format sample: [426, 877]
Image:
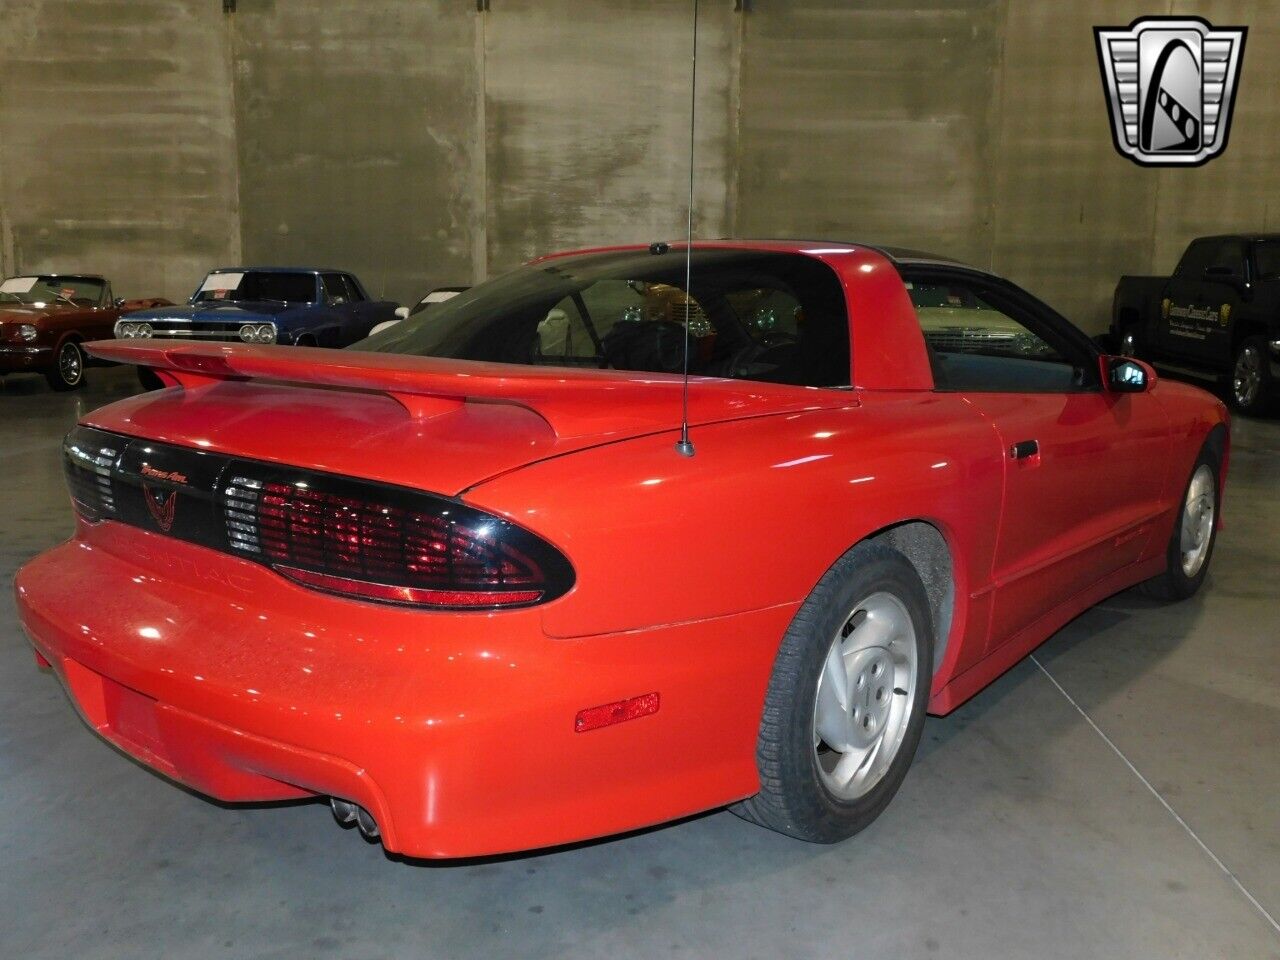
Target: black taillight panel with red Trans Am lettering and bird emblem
[337, 534]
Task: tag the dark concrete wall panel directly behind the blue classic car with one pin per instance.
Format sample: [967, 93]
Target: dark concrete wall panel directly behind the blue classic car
[358, 139]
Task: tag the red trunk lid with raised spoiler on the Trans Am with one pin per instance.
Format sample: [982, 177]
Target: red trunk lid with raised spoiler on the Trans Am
[441, 426]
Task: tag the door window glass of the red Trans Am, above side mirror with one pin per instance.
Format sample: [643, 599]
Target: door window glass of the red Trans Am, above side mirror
[980, 346]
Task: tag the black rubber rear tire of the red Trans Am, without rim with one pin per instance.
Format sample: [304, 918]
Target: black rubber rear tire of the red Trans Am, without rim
[794, 799]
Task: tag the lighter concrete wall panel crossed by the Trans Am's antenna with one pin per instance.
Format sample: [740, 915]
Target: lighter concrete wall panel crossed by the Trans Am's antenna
[587, 124]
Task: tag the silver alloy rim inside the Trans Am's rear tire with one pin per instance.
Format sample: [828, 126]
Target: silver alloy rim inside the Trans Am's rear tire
[866, 694]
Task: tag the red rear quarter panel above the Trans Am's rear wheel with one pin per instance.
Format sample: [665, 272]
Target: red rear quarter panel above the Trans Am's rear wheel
[760, 514]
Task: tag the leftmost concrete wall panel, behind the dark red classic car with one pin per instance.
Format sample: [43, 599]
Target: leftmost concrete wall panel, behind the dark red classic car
[117, 141]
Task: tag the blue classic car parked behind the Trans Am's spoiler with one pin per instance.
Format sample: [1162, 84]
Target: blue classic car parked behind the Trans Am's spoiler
[300, 307]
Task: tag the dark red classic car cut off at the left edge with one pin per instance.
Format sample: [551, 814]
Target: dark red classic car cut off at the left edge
[47, 318]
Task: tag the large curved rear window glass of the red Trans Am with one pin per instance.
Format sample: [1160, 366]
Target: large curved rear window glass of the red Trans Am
[749, 316]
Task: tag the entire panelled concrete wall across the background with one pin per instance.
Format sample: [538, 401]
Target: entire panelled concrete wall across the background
[422, 143]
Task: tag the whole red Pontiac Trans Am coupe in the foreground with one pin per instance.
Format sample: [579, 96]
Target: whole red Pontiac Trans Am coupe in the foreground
[461, 580]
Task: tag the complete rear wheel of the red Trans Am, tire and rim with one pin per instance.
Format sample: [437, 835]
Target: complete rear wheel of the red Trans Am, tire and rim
[845, 705]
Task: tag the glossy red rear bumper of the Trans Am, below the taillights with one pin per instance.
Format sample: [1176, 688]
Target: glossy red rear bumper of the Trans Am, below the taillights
[456, 732]
